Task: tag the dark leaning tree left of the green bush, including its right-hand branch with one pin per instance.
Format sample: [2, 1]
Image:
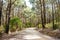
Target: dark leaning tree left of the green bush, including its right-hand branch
[8, 12]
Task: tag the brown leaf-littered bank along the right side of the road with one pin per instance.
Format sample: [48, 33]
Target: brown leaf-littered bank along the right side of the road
[52, 33]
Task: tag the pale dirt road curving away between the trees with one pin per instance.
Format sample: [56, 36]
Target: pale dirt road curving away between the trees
[30, 34]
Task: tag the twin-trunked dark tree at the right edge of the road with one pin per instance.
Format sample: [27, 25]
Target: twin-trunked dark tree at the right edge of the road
[43, 13]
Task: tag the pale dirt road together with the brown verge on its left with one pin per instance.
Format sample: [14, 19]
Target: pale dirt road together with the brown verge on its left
[27, 34]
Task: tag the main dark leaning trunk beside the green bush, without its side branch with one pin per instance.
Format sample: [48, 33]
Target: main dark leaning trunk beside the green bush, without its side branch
[8, 17]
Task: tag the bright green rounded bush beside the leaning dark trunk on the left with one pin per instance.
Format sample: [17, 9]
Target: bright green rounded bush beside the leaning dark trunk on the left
[15, 22]
